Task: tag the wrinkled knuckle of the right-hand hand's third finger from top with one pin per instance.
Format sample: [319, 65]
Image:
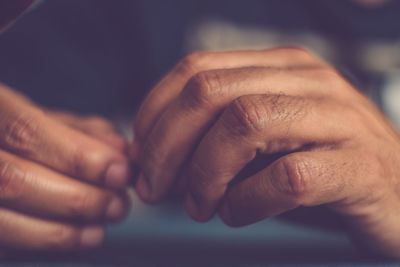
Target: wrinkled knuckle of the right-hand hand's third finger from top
[246, 114]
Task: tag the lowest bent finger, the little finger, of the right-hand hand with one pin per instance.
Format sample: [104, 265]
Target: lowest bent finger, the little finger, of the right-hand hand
[300, 179]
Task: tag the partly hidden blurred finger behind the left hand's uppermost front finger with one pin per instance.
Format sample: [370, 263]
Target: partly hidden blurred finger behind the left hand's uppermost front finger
[95, 126]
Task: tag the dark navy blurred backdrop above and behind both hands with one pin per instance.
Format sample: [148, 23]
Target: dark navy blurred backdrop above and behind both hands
[102, 56]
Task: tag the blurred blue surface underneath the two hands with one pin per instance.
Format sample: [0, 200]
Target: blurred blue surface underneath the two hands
[165, 236]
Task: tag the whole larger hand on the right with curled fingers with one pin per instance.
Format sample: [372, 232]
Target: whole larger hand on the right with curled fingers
[312, 138]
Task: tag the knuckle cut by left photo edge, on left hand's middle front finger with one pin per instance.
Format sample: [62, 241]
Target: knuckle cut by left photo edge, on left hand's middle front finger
[12, 181]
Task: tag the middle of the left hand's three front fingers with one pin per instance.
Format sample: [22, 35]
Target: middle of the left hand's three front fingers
[30, 188]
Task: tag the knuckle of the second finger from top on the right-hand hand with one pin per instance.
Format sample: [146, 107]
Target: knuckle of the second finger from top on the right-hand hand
[203, 88]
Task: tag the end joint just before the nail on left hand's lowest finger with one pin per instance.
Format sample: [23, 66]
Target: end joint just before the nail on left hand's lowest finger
[63, 238]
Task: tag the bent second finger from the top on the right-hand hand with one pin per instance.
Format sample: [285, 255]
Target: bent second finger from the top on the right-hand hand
[180, 128]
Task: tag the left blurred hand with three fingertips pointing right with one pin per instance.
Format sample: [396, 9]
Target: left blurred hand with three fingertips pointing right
[61, 177]
